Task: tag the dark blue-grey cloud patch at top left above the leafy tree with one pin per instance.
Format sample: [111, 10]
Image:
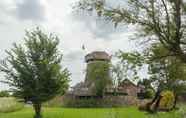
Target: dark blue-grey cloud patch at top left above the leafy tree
[30, 10]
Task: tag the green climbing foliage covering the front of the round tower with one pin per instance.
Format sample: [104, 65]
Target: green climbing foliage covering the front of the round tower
[98, 73]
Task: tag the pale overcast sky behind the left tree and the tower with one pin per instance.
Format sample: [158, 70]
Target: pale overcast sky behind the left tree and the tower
[74, 29]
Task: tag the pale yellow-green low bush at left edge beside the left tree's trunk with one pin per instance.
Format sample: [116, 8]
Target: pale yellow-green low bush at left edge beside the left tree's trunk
[10, 105]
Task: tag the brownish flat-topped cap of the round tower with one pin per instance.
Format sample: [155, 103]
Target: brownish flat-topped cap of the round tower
[97, 55]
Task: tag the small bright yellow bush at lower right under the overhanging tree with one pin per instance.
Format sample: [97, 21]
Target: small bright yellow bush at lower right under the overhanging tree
[167, 100]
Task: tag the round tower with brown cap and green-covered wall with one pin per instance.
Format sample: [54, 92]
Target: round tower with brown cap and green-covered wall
[98, 65]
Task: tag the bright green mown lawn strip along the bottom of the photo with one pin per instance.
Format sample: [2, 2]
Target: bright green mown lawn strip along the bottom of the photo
[129, 112]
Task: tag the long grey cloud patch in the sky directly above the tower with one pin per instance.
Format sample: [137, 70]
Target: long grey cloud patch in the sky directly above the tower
[98, 26]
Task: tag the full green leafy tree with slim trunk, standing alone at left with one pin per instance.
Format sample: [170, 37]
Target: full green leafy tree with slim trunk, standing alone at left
[34, 70]
